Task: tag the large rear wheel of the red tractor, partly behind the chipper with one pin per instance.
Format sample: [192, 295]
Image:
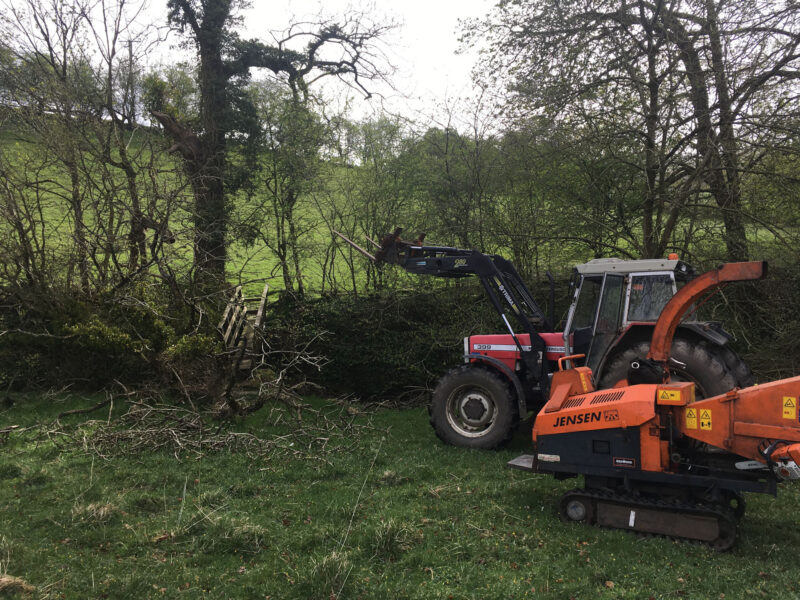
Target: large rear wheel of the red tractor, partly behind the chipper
[713, 369]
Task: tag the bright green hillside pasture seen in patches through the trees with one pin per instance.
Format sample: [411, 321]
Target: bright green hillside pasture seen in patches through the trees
[252, 262]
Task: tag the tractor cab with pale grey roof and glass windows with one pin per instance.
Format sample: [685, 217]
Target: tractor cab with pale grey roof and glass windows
[609, 296]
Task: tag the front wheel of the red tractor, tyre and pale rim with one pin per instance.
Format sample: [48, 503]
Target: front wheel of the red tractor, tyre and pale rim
[473, 407]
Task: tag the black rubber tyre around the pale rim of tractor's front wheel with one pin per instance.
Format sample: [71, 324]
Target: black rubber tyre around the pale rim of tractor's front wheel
[502, 431]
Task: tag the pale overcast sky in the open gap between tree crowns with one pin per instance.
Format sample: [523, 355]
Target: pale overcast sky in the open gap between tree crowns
[423, 48]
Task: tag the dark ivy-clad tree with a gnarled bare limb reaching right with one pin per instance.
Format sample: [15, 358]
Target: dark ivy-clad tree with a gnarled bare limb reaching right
[344, 50]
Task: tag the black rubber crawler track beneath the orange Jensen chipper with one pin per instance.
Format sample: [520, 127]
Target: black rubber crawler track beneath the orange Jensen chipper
[712, 525]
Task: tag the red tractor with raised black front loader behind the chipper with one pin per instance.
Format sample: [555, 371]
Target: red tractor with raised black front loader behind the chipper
[614, 305]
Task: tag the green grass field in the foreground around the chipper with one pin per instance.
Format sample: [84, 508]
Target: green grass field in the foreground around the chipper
[364, 505]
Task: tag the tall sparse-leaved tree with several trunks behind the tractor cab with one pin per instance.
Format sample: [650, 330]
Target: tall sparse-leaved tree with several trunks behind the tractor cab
[682, 81]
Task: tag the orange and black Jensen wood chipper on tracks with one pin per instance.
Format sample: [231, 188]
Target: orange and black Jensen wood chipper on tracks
[655, 458]
